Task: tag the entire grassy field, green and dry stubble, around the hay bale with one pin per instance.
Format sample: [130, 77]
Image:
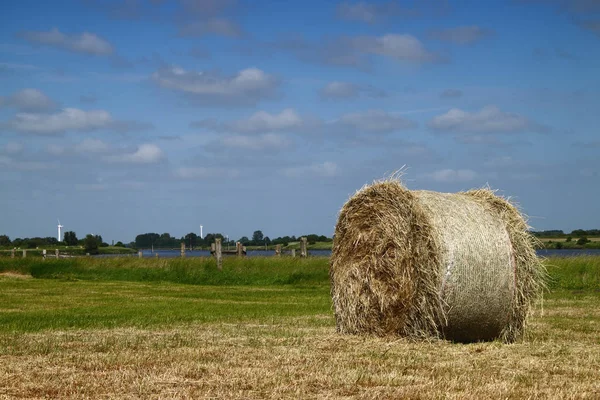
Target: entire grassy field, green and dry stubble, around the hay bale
[263, 328]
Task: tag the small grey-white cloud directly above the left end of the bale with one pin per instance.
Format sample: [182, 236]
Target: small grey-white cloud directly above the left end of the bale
[374, 121]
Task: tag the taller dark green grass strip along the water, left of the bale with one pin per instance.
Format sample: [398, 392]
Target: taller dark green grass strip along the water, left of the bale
[257, 271]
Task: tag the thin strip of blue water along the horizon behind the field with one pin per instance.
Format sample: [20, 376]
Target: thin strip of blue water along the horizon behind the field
[327, 253]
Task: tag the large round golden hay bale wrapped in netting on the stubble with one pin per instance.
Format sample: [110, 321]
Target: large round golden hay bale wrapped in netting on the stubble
[426, 264]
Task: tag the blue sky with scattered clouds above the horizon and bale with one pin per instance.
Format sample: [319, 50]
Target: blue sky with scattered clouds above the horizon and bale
[125, 117]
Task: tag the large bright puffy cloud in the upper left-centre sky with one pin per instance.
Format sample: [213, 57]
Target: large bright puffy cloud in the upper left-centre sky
[247, 86]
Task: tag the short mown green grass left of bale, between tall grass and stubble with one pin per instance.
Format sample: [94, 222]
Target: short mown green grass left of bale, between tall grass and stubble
[41, 304]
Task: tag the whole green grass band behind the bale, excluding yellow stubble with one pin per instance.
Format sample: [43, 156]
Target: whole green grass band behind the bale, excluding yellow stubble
[112, 292]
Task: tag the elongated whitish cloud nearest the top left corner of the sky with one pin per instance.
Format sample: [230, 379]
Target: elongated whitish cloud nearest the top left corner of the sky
[85, 42]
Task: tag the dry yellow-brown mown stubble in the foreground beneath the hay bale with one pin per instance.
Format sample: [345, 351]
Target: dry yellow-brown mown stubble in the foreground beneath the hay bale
[293, 357]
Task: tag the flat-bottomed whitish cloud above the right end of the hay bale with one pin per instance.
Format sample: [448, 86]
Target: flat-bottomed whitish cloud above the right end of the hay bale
[489, 119]
